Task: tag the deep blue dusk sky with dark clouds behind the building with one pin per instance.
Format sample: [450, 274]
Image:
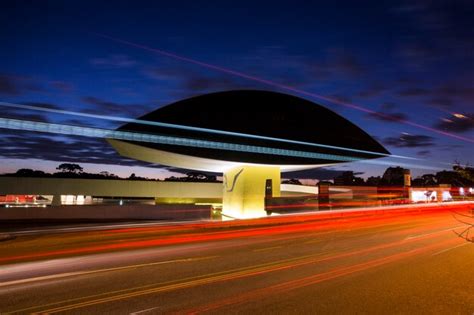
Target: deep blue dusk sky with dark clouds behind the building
[411, 61]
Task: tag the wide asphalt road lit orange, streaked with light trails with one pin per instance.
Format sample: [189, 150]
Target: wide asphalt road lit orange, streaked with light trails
[408, 263]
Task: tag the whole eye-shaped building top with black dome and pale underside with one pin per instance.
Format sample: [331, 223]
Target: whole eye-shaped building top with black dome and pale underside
[219, 131]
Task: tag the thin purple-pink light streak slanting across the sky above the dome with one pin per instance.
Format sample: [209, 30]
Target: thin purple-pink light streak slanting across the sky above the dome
[281, 86]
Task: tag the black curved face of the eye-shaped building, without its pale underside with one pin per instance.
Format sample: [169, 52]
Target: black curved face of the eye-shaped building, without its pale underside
[262, 113]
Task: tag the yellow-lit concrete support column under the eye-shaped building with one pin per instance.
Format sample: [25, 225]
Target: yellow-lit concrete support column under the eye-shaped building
[245, 188]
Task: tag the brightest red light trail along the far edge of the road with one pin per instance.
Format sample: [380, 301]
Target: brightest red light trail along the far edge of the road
[285, 225]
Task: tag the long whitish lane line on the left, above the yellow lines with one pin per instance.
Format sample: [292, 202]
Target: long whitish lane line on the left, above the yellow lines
[81, 273]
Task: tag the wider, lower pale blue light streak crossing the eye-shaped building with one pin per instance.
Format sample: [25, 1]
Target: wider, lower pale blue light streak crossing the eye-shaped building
[25, 125]
